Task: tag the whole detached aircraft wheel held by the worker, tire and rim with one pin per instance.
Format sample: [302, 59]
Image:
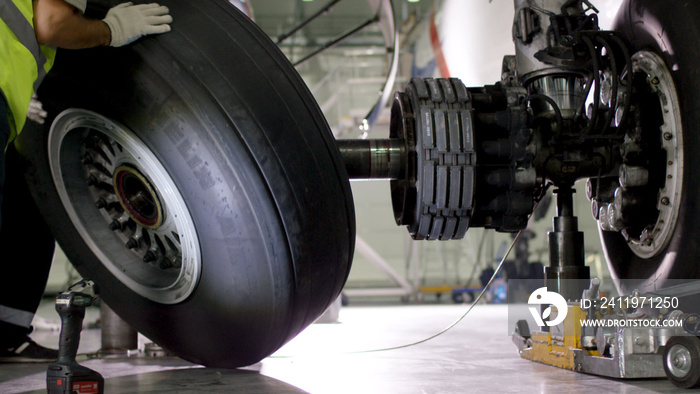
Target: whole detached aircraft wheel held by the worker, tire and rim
[204, 148]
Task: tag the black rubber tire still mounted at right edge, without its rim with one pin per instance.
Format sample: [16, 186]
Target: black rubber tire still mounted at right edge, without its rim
[671, 30]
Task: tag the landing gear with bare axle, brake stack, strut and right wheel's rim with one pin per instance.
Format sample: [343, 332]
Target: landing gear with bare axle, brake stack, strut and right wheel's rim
[579, 106]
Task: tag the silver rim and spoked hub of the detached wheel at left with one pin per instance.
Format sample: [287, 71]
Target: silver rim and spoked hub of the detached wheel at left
[124, 205]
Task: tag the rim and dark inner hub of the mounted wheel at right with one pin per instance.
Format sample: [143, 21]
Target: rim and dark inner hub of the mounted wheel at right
[643, 202]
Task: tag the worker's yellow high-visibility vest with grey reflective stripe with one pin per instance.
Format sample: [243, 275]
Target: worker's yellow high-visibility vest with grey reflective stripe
[23, 62]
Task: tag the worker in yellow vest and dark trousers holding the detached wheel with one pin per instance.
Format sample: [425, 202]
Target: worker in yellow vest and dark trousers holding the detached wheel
[29, 32]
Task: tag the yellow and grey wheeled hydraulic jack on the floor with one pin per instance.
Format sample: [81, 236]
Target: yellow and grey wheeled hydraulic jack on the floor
[612, 337]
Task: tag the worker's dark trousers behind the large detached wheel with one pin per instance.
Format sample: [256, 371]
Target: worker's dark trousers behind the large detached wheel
[26, 245]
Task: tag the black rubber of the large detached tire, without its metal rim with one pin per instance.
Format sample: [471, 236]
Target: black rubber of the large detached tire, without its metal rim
[275, 218]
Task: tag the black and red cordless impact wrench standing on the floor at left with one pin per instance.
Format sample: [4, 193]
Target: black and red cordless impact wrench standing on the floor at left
[66, 375]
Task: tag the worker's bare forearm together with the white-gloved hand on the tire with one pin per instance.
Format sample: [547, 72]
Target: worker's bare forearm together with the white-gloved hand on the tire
[59, 24]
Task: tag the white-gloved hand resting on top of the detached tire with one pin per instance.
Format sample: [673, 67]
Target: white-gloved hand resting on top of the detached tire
[129, 22]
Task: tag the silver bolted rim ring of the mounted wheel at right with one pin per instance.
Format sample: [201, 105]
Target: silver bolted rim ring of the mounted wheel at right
[656, 237]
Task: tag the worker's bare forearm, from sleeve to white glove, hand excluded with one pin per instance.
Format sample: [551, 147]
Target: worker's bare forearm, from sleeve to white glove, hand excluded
[61, 25]
